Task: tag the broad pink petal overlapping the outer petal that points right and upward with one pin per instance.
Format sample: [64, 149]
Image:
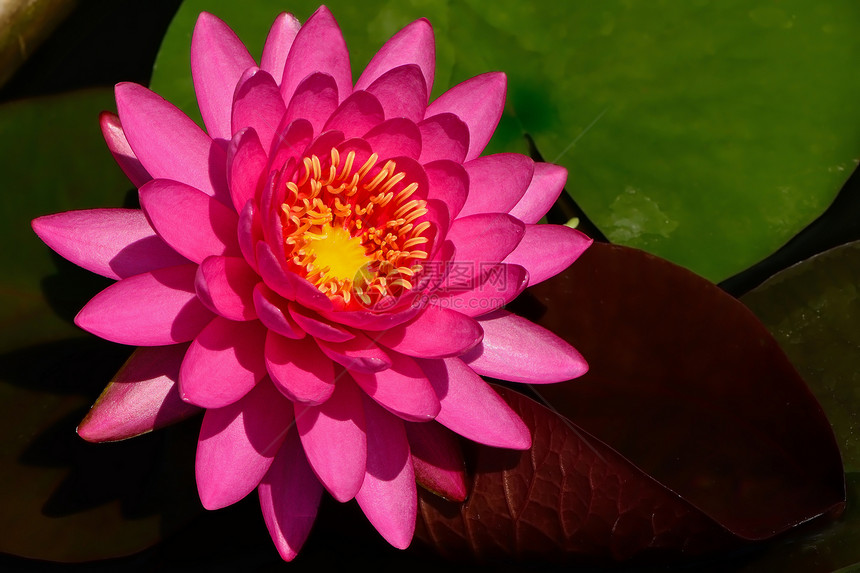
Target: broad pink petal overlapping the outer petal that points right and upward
[497, 182]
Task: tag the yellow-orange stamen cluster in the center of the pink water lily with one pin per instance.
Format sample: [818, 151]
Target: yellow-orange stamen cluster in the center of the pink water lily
[353, 231]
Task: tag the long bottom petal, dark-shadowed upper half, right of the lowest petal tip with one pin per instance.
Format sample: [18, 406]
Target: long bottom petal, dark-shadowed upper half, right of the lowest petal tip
[388, 496]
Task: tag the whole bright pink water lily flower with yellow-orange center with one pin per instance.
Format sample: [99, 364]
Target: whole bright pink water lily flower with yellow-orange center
[323, 270]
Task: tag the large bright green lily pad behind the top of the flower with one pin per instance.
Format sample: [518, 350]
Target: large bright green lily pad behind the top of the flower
[708, 133]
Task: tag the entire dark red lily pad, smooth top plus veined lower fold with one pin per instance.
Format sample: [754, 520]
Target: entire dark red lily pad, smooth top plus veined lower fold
[690, 417]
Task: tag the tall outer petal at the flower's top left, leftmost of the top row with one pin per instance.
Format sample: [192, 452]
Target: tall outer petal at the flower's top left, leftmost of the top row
[218, 59]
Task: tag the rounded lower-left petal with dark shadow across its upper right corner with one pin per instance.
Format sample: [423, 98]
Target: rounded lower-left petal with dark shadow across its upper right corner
[223, 363]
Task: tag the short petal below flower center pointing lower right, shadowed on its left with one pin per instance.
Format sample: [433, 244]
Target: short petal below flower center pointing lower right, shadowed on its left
[403, 389]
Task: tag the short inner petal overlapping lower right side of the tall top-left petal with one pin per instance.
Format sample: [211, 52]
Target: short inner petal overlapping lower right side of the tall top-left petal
[258, 104]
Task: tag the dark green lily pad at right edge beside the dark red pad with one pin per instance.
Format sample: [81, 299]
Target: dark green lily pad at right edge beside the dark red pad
[812, 309]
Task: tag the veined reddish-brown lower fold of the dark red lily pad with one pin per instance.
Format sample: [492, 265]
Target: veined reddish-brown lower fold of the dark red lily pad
[569, 497]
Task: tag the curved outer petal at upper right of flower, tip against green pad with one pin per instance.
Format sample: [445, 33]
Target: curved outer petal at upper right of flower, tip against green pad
[414, 44]
